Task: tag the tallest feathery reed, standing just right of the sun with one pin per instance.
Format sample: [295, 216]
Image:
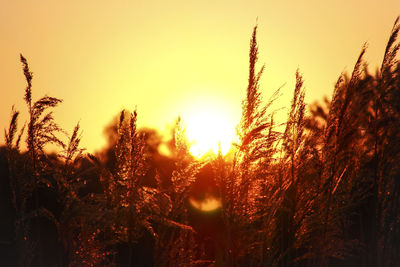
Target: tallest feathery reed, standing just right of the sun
[241, 184]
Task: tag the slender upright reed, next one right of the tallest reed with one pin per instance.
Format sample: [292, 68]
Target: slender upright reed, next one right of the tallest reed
[293, 203]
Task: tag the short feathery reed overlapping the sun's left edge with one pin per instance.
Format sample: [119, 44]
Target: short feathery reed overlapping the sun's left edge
[176, 245]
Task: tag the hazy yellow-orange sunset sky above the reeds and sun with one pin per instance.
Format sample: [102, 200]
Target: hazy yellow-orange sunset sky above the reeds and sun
[169, 57]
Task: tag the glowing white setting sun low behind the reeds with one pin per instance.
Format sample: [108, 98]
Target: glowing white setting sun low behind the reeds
[208, 130]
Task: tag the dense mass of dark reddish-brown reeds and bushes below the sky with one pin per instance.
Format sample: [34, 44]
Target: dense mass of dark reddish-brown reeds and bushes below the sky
[325, 191]
